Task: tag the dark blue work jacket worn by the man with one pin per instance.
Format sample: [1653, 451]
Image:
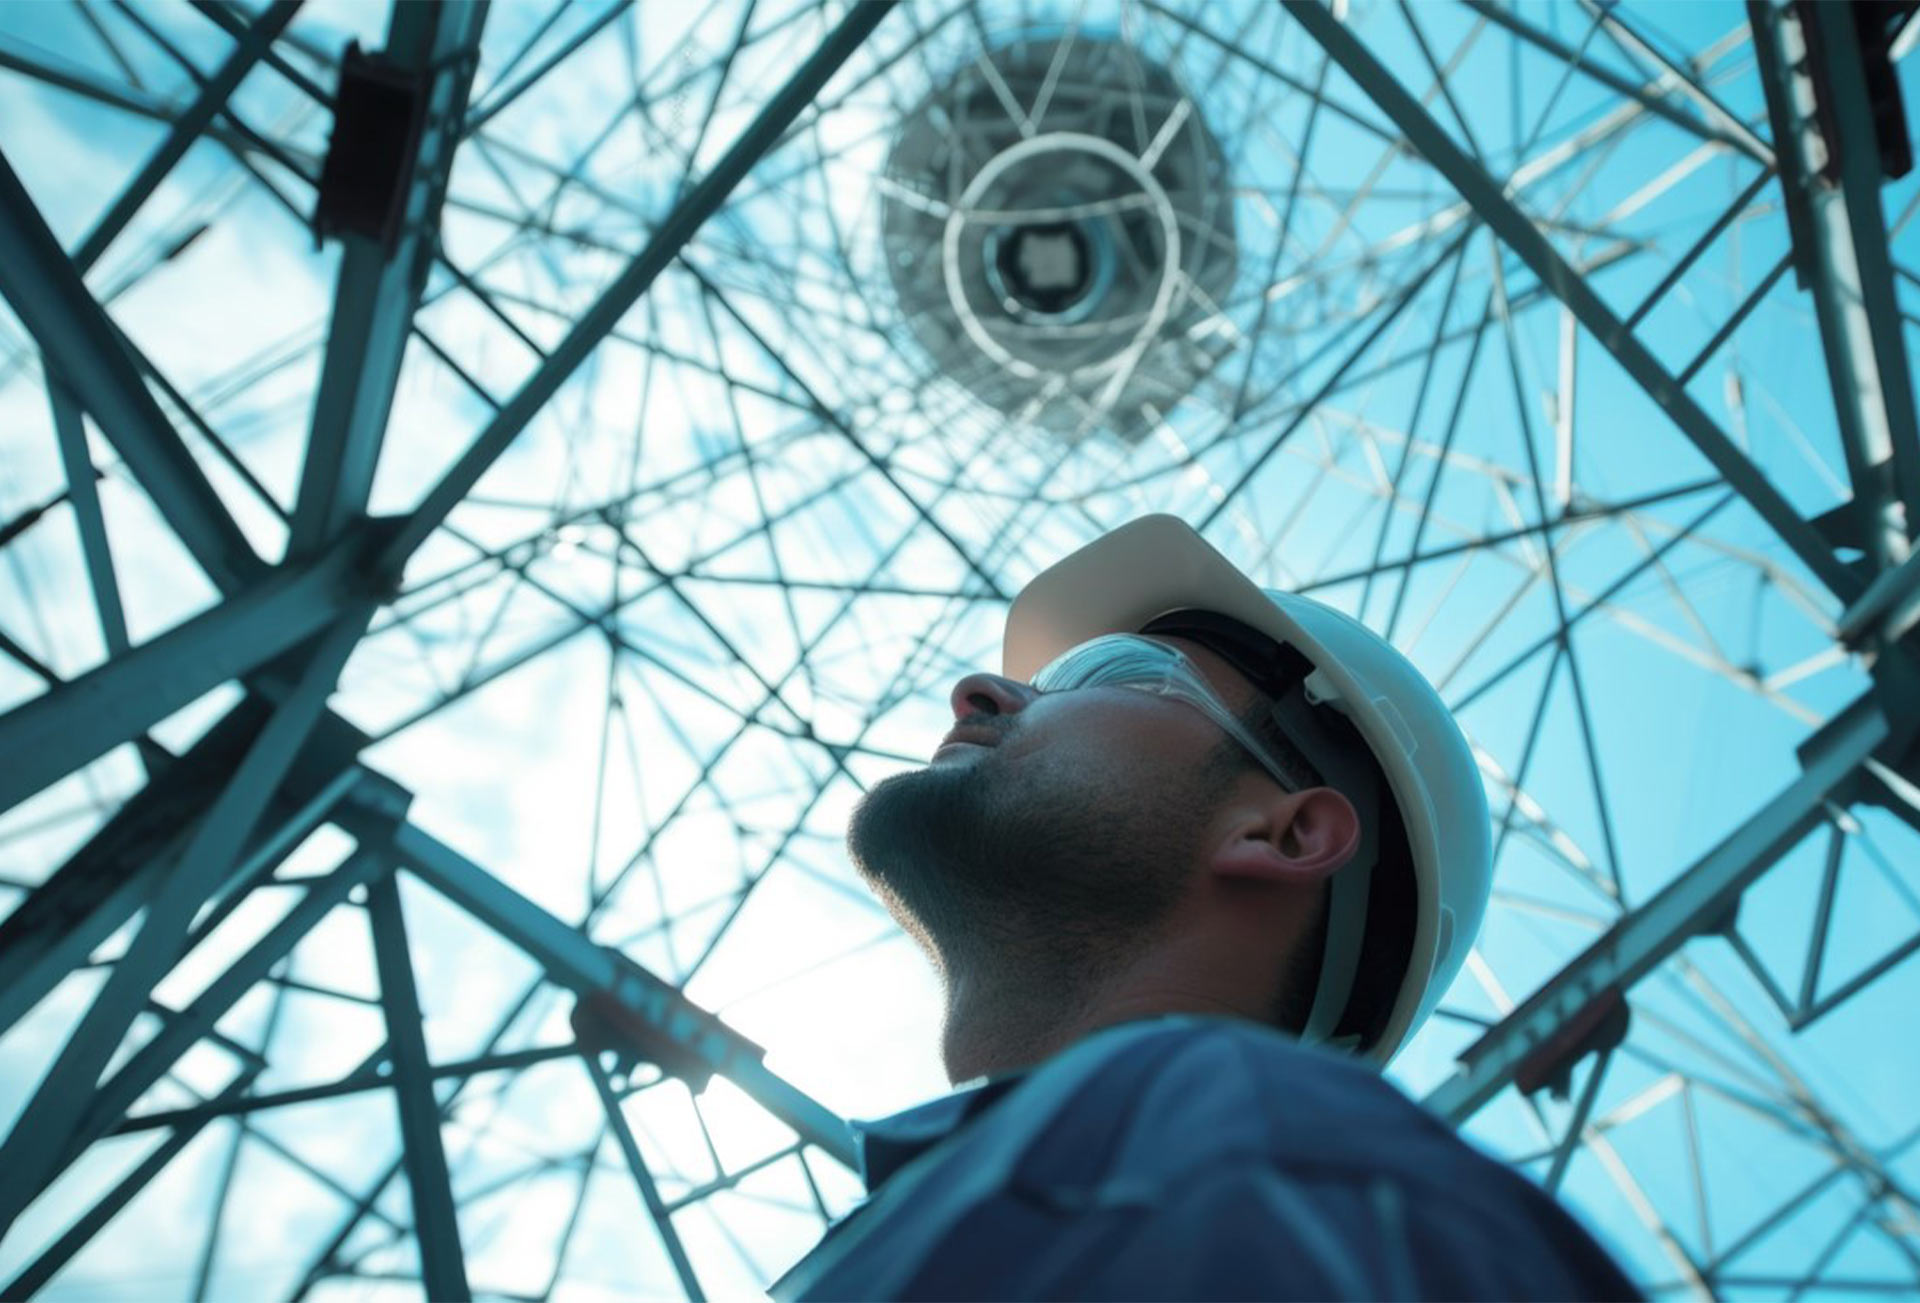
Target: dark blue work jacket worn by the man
[1193, 1158]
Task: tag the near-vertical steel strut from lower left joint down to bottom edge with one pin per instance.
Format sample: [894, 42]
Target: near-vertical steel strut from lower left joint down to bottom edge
[435, 1214]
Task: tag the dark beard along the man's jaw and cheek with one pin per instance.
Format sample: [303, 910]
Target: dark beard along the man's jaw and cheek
[1042, 886]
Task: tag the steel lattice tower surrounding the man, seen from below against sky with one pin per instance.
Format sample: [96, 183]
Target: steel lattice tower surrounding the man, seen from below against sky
[487, 486]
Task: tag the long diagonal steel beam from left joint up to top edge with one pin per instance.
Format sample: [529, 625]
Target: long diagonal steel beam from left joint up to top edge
[661, 250]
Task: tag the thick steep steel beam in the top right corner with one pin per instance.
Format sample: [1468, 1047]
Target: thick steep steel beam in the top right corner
[1842, 252]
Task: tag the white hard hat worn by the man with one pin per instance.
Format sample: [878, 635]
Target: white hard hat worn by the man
[1159, 565]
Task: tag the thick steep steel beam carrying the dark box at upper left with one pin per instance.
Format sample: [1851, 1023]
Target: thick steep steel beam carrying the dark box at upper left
[379, 289]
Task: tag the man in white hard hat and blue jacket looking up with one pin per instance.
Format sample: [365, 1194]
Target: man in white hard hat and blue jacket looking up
[1191, 872]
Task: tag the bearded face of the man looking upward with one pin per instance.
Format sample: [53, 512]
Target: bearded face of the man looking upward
[1068, 818]
